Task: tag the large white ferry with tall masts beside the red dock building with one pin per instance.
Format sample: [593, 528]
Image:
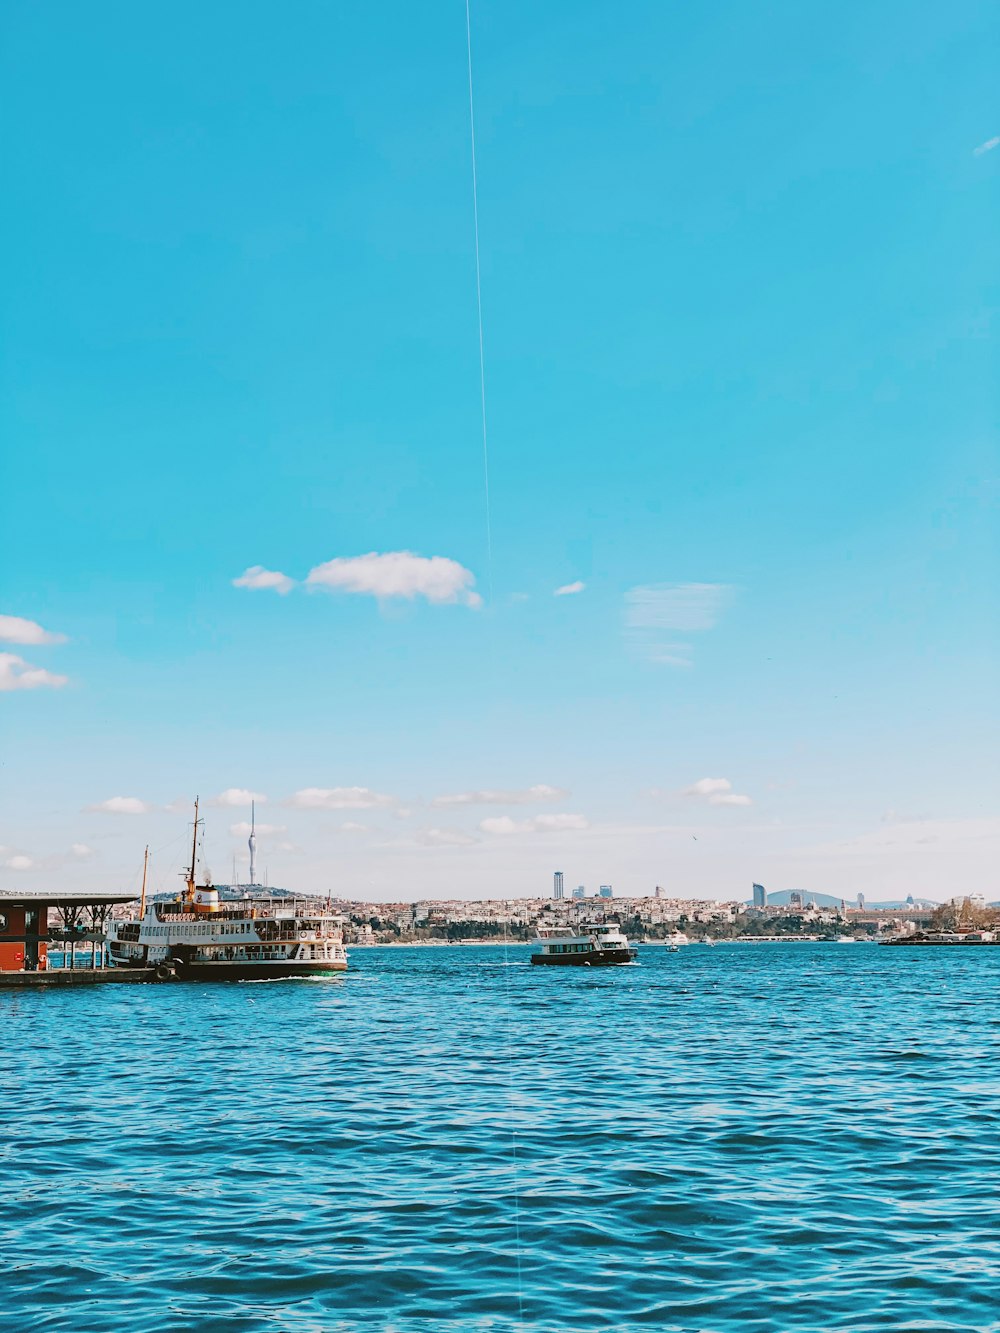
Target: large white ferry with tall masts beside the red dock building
[201, 936]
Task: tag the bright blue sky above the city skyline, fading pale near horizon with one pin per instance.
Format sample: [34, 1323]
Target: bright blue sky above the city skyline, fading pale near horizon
[739, 290]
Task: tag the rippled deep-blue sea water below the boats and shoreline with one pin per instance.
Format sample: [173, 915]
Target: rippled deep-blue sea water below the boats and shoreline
[750, 1138]
